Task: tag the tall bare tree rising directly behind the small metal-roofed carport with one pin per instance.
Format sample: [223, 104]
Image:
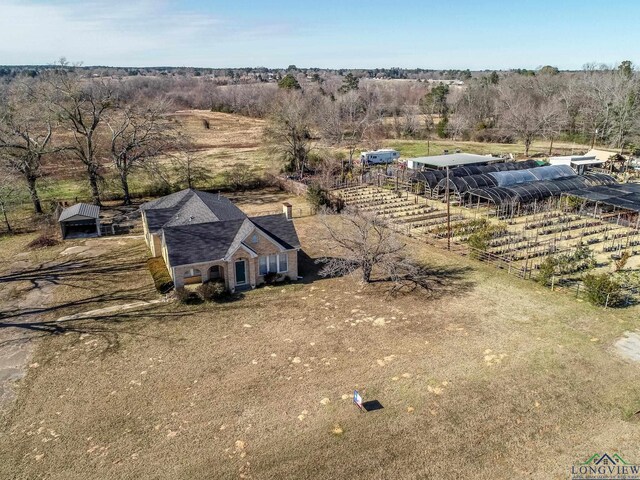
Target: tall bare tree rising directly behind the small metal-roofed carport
[81, 106]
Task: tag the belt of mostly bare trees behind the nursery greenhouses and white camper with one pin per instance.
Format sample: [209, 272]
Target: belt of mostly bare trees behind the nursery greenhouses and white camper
[597, 105]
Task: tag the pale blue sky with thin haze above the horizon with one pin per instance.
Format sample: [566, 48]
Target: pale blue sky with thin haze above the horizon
[490, 34]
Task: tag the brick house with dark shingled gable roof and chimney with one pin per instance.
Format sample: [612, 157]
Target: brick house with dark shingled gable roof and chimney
[203, 236]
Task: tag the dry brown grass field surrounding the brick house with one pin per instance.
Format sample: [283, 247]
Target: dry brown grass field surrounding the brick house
[484, 377]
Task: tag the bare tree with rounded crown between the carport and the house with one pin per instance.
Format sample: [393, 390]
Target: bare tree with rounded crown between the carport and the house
[139, 133]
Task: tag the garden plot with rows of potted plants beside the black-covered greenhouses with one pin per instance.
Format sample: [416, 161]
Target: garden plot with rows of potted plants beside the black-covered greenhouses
[522, 242]
